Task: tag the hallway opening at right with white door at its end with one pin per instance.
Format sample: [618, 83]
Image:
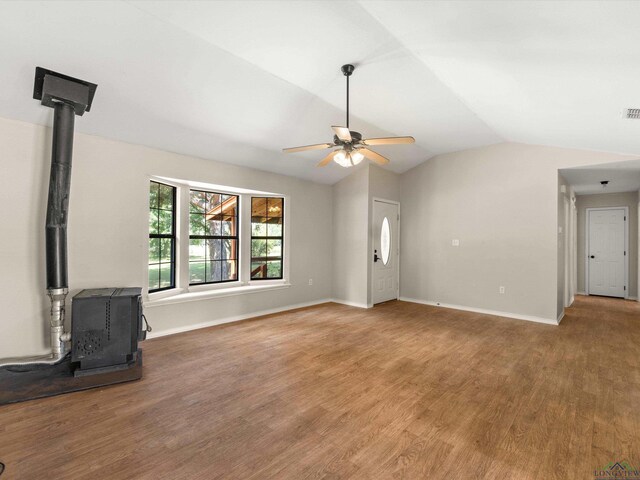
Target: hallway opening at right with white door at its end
[604, 205]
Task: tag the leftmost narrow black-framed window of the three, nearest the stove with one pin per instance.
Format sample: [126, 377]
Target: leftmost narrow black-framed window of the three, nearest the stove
[162, 236]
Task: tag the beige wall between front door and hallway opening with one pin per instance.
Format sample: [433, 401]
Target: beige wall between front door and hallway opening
[501, 202]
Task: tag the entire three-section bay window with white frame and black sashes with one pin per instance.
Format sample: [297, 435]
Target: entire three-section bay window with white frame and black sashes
[208, 240]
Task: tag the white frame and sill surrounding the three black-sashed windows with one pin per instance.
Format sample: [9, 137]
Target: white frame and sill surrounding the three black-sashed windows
[185, 292]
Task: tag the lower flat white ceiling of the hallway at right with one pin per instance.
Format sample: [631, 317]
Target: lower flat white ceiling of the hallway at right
[622, 177]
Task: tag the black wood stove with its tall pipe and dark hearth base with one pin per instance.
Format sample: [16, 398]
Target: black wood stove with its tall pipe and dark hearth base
[106, 323]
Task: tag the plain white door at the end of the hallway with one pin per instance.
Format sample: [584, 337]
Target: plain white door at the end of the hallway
[606, 253]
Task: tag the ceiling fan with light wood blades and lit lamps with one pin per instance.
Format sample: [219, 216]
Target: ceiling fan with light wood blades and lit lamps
[352, 148]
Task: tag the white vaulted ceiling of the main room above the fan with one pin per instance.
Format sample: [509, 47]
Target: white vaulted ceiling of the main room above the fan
[237, 81]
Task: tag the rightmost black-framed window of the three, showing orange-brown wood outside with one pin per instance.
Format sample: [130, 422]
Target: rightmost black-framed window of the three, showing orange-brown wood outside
[267, 225]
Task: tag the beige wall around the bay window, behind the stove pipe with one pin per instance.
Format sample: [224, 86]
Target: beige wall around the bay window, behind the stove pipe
[108, 230]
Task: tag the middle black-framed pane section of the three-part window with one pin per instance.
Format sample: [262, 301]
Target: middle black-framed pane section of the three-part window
[213, 237]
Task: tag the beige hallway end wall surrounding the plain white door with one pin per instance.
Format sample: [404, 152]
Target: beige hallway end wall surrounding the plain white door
[609, 200]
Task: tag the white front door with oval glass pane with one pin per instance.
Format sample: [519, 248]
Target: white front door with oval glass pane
[386, 251]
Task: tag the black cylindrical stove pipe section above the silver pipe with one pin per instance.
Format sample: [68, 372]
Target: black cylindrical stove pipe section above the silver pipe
[58, 203]
